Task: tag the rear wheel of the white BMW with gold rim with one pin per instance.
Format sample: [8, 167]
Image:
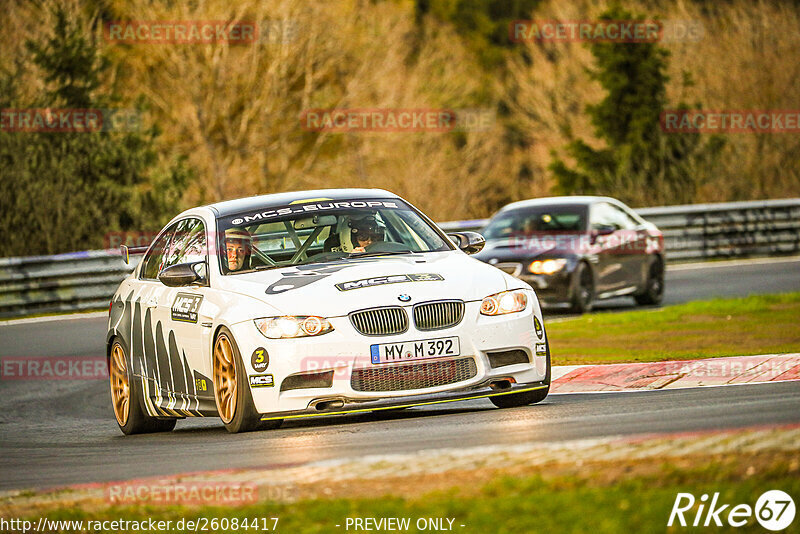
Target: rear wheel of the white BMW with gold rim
[127, 397]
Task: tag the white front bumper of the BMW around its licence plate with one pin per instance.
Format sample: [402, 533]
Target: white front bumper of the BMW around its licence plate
[344, 351]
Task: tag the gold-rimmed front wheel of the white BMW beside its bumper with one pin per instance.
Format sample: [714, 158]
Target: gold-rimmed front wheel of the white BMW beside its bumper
[231, 389]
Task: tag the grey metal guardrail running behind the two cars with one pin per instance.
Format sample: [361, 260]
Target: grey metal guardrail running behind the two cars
[86, 280]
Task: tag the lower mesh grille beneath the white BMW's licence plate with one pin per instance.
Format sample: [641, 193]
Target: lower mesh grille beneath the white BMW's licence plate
[413, 376]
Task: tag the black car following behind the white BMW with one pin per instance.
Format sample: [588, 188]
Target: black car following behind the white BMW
[577, 250]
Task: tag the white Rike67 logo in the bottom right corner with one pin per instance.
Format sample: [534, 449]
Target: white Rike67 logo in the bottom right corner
[774, 510]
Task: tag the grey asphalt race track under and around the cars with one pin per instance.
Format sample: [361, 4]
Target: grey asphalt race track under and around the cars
[54, 433]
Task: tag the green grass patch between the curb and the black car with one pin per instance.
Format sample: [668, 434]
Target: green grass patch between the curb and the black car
[765, 324]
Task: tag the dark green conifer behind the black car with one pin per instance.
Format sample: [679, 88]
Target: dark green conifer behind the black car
[639, 163]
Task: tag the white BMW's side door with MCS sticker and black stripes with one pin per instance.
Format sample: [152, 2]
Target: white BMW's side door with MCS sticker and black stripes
[182, 330]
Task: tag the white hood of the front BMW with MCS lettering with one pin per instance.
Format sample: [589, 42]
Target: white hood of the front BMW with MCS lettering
[336, 289]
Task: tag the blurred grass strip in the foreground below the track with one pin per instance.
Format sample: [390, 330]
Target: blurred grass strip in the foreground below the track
[625, 496]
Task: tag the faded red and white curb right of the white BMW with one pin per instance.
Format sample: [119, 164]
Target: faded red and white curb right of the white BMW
[676, 374]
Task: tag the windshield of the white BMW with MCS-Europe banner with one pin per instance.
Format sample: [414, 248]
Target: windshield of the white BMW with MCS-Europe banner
[319, 231]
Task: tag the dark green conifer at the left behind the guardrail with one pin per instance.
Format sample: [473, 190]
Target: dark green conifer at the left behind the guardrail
[64, 191]
